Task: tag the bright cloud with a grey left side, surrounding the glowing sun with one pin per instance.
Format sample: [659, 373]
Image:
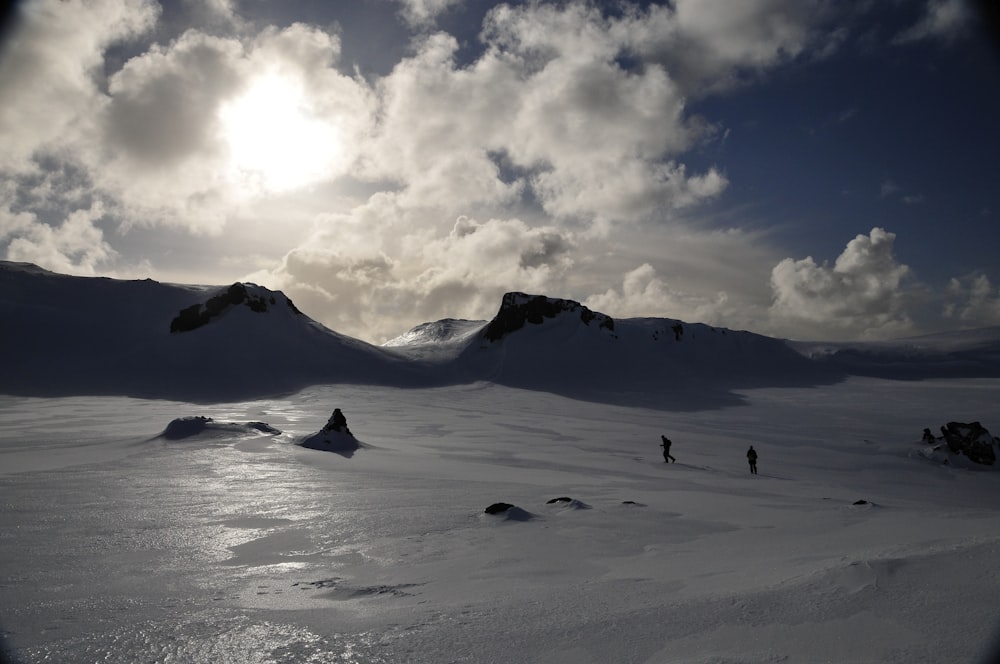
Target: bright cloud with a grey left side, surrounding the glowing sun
[206, 125]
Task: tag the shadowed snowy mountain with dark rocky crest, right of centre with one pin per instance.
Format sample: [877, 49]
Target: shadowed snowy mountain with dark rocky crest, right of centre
[558, 345]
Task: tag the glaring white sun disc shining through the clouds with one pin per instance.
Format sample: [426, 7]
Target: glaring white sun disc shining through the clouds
[275, 141]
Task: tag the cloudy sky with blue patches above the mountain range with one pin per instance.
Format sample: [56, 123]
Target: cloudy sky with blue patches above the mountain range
[800, 168]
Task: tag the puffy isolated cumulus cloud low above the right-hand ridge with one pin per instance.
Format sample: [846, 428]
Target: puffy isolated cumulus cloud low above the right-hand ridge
[861, 296]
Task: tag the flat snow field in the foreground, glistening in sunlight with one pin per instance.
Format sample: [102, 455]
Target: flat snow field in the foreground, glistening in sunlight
[122, 546]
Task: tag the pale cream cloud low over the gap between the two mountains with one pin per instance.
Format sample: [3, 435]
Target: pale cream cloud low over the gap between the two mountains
[381, 269]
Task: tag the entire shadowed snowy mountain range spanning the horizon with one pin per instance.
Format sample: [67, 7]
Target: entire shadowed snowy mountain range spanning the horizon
[68, 335]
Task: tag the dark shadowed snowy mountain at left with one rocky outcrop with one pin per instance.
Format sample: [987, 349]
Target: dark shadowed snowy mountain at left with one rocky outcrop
[77, 335]
